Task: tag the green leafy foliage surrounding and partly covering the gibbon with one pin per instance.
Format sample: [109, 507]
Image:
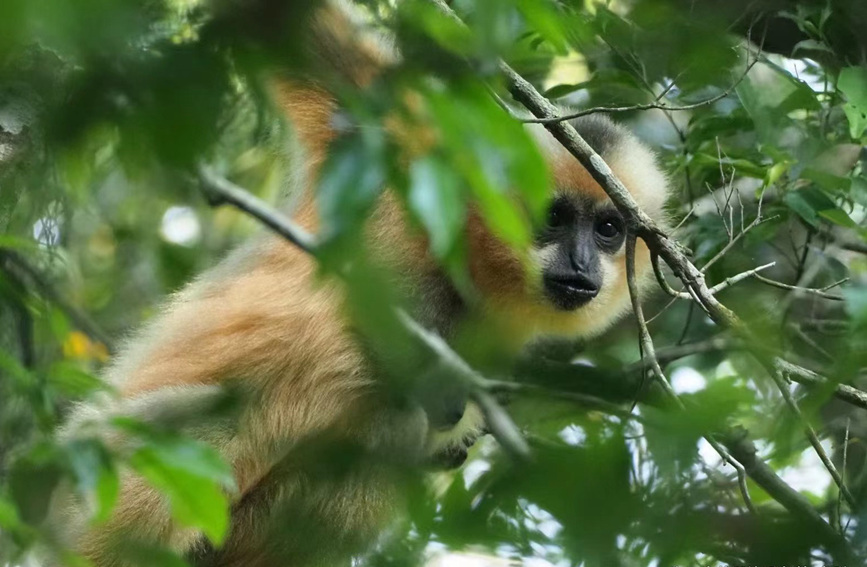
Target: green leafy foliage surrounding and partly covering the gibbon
[108, 106]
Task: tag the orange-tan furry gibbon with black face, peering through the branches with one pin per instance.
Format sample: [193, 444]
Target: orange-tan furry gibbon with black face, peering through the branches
[263, 323]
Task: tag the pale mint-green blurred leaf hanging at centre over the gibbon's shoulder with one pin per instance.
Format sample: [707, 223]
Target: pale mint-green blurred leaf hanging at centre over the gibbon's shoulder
[436, 200]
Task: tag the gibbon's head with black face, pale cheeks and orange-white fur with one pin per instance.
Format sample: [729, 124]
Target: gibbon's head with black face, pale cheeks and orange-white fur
[573, 282]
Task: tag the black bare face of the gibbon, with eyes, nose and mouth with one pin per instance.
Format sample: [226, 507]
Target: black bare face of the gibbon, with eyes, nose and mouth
[577, 235]
